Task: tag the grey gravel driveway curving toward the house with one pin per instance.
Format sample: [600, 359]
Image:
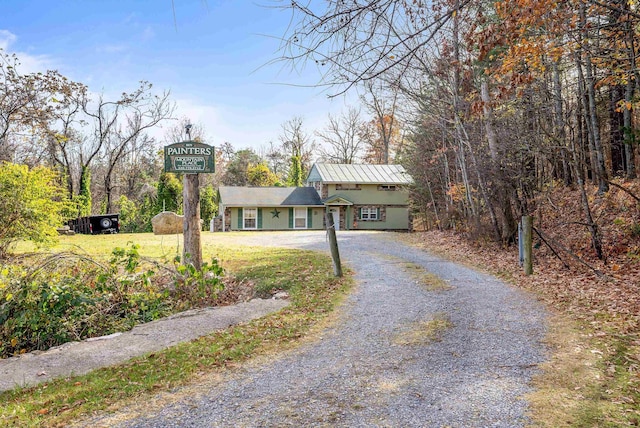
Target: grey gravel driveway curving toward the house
[362, 373]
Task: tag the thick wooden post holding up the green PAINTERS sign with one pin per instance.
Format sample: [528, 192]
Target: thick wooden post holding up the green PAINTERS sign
[192, 252]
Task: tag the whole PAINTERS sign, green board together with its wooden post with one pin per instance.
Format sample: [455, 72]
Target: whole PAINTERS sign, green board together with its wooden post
[190, 158]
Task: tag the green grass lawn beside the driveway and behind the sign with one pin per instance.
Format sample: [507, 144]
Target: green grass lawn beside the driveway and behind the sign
[314, 294]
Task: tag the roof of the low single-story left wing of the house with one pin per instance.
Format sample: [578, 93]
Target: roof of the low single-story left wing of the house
[236, 196]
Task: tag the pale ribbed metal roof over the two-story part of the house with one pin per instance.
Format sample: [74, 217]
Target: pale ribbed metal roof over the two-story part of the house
[363, 174]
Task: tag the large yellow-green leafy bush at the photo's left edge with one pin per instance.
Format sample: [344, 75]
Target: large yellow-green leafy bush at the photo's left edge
[32, 204]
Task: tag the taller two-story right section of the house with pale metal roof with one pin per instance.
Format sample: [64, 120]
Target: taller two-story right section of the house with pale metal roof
[364, 197]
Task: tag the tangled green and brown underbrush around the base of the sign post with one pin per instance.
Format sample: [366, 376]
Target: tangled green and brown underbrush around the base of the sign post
[50, 299]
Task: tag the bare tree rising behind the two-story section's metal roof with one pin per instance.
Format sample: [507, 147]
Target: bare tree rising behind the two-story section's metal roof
[342, 138]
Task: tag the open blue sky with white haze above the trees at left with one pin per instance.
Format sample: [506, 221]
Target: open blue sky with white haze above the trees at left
[213, 59]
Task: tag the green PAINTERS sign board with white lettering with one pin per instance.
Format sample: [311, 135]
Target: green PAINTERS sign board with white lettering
[189, 157]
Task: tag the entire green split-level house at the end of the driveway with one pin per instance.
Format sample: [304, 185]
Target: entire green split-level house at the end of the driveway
[359, 197]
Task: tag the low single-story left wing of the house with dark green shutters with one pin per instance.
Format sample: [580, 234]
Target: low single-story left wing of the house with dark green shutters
[269, 208]
